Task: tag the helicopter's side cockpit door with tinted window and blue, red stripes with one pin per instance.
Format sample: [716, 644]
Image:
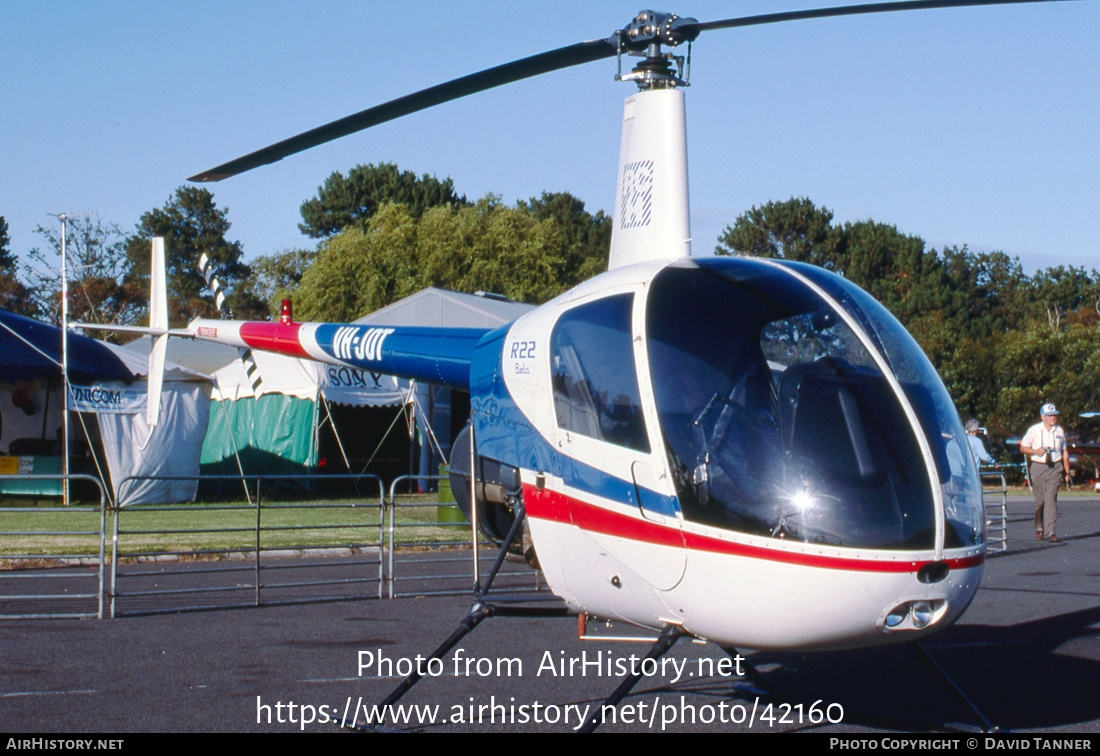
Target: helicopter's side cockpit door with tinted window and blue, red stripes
[607, 423]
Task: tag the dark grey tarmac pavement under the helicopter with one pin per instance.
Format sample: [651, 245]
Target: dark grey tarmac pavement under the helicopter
[1027, 653]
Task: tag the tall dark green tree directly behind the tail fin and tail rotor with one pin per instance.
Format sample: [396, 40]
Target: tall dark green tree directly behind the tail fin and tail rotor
[192, 224]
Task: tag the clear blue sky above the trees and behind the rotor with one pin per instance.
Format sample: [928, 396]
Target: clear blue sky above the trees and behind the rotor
[965, 127]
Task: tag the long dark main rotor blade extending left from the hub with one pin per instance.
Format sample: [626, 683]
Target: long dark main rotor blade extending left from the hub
[544, 63]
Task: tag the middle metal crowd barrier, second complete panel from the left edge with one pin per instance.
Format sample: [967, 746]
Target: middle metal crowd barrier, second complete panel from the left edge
[241, 565]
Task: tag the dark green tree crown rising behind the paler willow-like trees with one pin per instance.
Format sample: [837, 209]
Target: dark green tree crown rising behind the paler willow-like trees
[344, 202]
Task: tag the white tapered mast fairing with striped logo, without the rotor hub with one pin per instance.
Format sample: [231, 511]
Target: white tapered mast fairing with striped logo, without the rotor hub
[652, 215]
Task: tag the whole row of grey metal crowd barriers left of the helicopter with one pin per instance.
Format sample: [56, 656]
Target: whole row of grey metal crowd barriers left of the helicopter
[221, 553]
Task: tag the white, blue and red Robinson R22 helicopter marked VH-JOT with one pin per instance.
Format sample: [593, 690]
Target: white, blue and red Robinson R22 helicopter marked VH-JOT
[750, 452]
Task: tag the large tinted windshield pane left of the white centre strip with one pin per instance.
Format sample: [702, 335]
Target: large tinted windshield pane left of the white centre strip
[776, 419]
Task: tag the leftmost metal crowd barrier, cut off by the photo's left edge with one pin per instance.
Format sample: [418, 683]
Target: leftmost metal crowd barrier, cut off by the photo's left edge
[49, 575]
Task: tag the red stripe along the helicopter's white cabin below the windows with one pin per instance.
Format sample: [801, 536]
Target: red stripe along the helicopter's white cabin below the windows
[558, 508]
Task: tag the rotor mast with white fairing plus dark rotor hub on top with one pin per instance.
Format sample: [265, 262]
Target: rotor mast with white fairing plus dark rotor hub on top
[652, 209]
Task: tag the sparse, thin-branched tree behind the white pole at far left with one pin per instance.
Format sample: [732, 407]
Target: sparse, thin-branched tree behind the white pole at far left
[101, 284]
